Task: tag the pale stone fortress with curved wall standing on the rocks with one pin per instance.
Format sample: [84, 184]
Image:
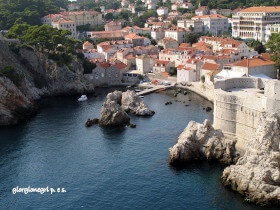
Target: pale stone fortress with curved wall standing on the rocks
[239, 104]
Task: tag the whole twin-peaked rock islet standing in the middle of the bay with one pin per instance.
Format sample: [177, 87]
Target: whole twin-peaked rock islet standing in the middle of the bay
[118, 104]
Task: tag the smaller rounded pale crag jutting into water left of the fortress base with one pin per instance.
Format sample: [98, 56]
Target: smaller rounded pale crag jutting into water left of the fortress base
[202, 141]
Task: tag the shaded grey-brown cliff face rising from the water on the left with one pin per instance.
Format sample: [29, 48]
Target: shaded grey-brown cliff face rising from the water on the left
[39, 77]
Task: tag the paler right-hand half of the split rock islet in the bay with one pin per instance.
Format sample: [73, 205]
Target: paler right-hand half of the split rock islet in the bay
[132, 103]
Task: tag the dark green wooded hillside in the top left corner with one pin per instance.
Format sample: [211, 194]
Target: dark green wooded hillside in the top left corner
[29, 11]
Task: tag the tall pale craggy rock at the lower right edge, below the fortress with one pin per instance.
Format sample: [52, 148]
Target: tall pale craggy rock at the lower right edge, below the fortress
[257, 174]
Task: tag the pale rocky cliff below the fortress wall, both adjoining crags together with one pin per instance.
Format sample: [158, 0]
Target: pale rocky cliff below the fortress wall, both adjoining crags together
[256, 174]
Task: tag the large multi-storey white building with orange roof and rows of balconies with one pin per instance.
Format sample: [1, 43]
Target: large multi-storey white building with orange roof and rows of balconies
[251, 23]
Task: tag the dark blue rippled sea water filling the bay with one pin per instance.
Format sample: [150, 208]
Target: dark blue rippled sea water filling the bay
[108, 168]
